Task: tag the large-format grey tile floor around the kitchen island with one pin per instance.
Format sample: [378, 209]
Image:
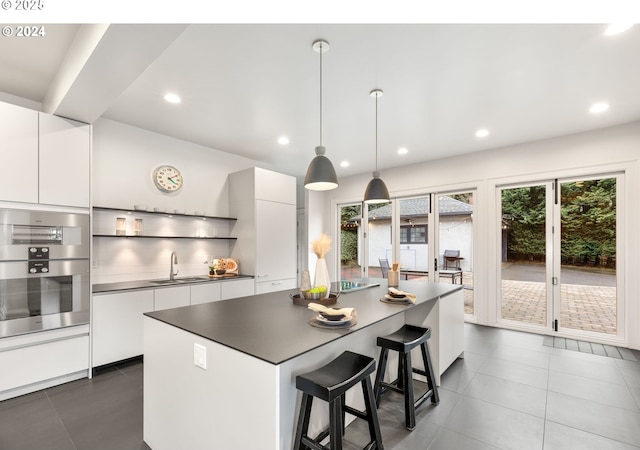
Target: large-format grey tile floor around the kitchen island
[509, 392]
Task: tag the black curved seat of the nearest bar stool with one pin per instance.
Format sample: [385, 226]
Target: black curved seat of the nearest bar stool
[334, 379]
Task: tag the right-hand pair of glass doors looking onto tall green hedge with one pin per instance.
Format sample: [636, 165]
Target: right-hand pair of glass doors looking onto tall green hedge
[558, 265]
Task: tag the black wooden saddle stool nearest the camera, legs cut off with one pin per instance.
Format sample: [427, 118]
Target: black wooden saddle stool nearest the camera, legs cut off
[330, 383]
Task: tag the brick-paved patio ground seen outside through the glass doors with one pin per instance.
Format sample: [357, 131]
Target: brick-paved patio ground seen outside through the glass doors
[585, 307]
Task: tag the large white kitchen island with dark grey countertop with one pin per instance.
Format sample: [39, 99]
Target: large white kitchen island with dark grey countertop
[222, 375]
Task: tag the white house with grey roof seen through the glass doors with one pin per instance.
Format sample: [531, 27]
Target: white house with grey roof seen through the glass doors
[456, 232]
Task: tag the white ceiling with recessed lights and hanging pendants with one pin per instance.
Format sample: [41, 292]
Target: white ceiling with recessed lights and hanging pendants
[244, 86]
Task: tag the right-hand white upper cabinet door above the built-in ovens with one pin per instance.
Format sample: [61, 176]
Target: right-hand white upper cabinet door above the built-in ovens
[65, 147]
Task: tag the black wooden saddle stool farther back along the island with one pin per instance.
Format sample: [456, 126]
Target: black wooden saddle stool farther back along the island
[403, 341]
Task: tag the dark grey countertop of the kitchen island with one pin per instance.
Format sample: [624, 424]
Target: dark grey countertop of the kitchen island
[271, 328]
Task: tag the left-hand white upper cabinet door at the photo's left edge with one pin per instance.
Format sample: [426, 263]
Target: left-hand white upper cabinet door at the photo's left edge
[19, 154]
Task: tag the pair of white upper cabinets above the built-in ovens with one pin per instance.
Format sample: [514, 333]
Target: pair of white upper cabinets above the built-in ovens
[45, 159]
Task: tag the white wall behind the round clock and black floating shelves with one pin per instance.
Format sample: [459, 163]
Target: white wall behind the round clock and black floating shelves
[124, 158]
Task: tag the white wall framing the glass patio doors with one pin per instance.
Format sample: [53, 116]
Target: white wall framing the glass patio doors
[615, 149]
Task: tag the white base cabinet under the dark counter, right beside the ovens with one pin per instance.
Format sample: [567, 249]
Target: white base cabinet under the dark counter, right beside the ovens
[117, 325]
